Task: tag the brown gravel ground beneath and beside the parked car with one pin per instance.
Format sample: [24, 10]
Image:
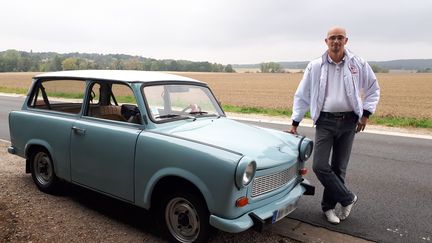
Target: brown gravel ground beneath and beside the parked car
[79, 215]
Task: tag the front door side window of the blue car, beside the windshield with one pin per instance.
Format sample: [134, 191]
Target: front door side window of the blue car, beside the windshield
[113, 101]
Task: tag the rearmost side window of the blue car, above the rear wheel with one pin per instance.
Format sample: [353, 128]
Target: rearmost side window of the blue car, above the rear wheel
[58, 95]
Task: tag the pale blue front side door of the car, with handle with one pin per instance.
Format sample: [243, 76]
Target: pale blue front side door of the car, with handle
[103, 147]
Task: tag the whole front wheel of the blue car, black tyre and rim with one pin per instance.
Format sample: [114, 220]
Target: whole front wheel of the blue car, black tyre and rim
[184, 217]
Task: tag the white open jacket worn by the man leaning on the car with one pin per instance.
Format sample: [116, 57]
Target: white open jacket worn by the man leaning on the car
[357, 75]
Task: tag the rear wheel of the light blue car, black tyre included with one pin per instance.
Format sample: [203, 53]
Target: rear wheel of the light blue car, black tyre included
[42, 171]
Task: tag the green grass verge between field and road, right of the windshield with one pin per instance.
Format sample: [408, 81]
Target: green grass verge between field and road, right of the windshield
[385, 121]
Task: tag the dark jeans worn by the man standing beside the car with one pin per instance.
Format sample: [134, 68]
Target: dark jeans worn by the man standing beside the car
[335, 135]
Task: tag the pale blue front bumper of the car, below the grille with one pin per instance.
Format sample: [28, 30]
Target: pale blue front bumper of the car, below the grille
[259, 216]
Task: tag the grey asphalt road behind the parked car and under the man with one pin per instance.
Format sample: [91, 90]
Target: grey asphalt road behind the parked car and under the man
[391, 175]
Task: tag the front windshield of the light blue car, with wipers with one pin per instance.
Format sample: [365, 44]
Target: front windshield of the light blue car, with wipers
[180, 101]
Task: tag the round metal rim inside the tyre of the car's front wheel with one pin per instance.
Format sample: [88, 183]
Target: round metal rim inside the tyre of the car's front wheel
[182, 220]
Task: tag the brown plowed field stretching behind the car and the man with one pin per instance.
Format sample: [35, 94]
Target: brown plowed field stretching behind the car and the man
[402, 94]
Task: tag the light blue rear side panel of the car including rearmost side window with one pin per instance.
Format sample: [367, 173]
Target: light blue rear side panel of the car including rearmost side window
[51, 114]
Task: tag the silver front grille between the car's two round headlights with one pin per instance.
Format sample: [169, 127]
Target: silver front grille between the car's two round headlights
[271, 182]
